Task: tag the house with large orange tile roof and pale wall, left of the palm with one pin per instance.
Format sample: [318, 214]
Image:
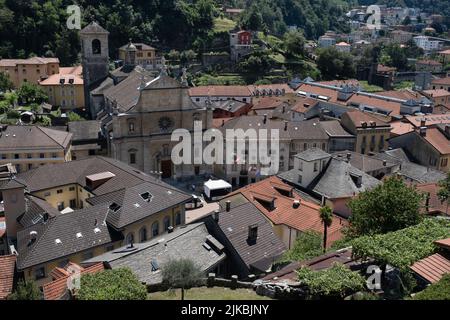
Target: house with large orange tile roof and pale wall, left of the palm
[289, 213]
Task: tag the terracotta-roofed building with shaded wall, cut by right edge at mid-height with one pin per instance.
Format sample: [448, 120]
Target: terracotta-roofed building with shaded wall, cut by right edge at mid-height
[429, 146]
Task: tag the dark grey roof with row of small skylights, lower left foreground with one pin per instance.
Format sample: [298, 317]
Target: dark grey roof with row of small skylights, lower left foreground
[64, 227]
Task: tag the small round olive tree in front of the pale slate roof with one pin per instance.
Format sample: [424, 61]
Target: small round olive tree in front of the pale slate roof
[181, 274]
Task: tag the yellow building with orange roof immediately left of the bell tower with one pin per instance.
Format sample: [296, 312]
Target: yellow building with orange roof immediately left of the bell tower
[65, 89]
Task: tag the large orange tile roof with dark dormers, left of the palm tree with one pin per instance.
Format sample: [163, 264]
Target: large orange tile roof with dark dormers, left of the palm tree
[304, 218]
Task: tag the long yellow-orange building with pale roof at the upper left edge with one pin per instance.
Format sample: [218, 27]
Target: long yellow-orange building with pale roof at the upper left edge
[29, 70]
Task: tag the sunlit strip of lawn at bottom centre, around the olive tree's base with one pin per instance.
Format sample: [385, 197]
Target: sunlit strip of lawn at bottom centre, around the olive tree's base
[204, 293]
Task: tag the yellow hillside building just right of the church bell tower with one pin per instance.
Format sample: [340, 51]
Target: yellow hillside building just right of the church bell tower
[144, 55]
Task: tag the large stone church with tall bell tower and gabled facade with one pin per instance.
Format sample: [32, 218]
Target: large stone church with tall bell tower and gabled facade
[139, 109]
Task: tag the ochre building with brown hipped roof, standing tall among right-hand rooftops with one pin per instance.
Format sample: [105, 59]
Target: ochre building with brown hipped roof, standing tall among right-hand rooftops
[371, 132]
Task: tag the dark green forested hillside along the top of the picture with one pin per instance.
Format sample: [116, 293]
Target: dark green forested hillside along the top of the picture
[38, 27]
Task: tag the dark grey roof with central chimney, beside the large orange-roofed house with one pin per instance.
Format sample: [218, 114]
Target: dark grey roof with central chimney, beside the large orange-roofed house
[234, 225]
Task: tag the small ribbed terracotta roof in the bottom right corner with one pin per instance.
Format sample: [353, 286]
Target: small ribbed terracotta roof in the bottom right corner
[432, 268]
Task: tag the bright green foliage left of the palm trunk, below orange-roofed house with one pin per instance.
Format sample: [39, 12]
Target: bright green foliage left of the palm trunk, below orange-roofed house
[308, 245]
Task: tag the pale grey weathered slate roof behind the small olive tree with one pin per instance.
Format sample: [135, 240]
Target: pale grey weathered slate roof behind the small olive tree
[185, 242]
